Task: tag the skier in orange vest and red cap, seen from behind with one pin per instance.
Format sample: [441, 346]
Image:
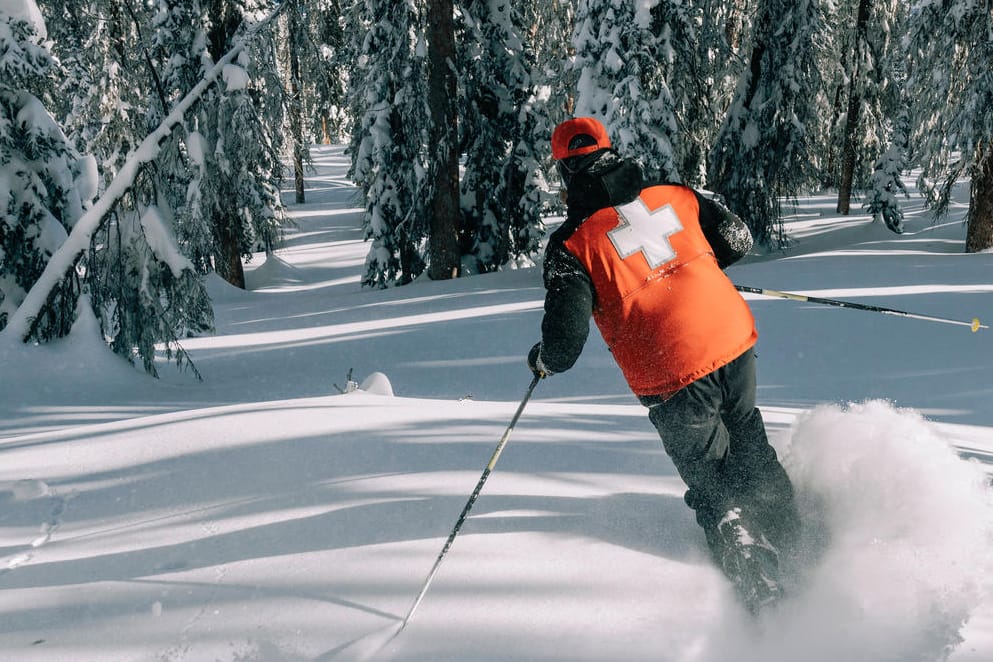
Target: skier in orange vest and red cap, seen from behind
[645, 261]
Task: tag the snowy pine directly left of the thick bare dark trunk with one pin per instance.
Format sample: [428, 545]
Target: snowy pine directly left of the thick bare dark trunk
[388, 143]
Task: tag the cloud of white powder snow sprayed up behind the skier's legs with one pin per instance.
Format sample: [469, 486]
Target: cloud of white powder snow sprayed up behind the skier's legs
[908, 526]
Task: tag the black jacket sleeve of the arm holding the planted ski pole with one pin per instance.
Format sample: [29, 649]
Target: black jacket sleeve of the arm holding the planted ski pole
[568, 308]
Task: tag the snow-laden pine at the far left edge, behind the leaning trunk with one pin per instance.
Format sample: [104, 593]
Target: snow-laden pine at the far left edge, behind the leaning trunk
[44, 183]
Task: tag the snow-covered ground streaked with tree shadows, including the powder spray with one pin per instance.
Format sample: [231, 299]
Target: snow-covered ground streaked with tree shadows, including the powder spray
[262, 515]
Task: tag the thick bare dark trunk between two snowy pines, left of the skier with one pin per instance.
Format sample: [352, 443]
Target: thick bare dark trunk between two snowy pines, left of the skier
[443, 241]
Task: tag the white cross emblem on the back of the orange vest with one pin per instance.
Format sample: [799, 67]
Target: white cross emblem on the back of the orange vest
[639, 229]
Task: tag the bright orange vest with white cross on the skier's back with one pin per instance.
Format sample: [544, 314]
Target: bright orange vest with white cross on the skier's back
[663, 306]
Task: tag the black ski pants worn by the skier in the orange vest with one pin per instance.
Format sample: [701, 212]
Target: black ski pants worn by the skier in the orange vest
[714, 434]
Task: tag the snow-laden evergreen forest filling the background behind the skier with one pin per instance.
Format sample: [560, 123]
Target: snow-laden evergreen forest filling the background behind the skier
[143, 142]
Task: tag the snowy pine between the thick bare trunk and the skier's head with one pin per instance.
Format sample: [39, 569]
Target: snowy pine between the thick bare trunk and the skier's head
[499, 122]
